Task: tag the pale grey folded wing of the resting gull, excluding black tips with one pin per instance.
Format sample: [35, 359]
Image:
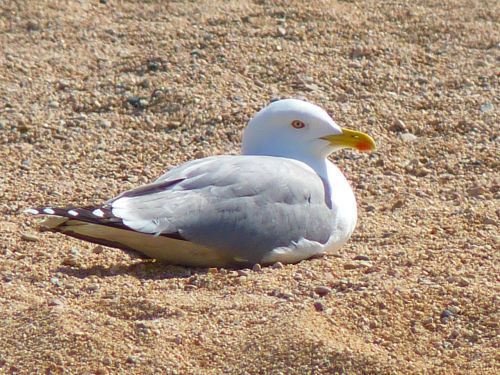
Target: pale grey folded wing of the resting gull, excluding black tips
[247, 204]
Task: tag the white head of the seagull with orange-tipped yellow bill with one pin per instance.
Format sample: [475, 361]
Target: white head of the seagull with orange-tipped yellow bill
[300, 130]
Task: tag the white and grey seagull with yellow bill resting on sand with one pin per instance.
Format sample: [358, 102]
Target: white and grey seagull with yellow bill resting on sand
[280, 200]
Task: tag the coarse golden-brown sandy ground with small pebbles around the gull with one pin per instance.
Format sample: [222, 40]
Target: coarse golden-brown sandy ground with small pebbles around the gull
[97, 98]
